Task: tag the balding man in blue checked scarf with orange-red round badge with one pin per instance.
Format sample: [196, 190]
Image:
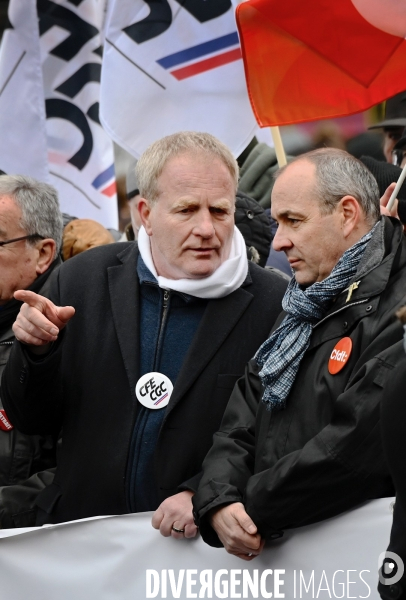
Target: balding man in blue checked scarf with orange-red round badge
[300, 441]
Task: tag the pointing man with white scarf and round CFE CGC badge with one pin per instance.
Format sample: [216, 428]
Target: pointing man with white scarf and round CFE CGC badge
[135, 351]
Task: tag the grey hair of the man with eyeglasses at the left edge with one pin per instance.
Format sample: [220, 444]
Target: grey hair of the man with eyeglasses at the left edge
[39, 206]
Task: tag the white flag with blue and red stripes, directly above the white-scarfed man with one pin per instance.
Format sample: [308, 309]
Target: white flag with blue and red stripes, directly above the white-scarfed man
[174, 65]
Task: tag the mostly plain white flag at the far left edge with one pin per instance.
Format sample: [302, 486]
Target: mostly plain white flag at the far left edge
[23, 147]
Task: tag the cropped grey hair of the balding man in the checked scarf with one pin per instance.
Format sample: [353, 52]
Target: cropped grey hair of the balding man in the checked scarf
[340, 174]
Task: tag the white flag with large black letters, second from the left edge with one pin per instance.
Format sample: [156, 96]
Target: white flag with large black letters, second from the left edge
[81, 159]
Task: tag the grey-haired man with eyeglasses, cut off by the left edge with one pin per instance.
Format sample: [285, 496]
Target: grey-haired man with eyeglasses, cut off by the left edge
[30, 240]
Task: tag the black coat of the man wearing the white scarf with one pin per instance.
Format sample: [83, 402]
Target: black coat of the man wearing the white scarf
[87, 383]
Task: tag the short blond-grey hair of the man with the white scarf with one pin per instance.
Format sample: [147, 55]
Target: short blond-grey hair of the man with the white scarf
[152, 162]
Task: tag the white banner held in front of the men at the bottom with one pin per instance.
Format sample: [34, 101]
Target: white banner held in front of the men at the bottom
[123, 558]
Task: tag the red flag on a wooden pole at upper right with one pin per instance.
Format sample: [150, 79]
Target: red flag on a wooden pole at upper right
[321, 59]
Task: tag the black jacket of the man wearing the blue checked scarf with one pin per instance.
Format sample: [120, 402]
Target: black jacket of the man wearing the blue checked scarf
[323, 454]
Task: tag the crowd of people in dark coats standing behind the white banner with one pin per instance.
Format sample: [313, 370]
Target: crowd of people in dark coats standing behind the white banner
[181, 370]
